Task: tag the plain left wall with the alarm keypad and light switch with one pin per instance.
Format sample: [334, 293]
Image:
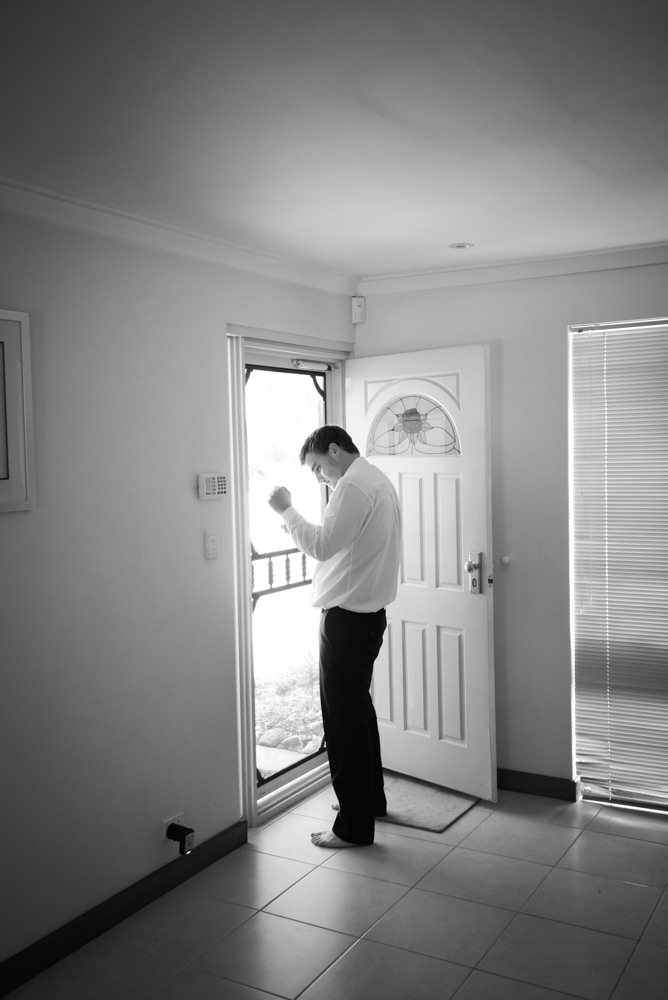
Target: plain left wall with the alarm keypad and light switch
[118, 695]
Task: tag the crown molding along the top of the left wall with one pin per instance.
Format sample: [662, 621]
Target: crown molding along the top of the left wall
[57, 210]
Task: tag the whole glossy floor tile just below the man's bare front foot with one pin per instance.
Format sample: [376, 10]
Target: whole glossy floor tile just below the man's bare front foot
[338, 900]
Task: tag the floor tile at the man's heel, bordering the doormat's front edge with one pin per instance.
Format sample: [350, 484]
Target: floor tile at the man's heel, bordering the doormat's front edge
[395, 859]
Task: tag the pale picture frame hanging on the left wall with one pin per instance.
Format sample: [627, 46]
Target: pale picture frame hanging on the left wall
[17, 464]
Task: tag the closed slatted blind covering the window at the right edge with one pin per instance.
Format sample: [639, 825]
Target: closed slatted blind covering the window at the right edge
[619, 560]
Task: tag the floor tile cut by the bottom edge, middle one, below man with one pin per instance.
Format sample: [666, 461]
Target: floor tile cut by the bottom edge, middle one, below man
[371, 971]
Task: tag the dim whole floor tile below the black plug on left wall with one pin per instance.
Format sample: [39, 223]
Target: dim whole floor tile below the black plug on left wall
[179, 926]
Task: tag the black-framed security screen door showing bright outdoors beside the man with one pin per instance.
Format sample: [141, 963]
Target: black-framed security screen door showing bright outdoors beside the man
[282, 408]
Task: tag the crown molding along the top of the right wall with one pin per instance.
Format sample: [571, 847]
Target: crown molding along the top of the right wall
[607, 260]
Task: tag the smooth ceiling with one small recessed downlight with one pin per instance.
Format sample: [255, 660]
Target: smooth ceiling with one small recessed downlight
[359, 137]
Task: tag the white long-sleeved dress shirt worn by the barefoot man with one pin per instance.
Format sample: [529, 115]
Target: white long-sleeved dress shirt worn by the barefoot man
[357, 544]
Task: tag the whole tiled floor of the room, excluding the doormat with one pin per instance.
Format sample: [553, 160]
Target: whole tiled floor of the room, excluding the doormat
[531, 899]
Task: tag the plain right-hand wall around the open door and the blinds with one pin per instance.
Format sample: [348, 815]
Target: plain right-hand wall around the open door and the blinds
[525, 324]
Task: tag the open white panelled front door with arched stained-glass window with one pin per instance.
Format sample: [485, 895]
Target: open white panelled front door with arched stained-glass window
[422, 418]
